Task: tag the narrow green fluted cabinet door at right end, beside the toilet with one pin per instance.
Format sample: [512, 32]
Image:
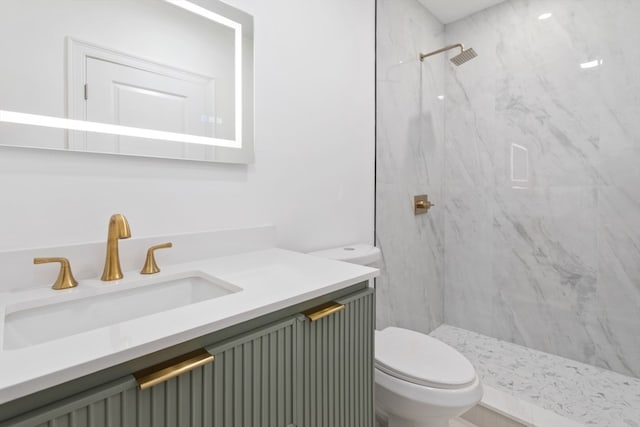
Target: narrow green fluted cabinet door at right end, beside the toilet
[337, 364]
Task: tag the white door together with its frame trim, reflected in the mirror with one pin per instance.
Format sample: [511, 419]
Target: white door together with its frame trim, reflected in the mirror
[124, 90]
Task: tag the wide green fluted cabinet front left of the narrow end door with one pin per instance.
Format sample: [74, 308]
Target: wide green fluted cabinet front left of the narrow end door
[249, 384]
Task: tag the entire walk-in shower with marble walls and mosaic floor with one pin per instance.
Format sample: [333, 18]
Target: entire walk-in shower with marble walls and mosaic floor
[528, 264]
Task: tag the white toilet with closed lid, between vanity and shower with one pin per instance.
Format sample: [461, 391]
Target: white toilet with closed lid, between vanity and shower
[420, 381]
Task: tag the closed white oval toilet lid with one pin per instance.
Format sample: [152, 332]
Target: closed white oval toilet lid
[421, 359]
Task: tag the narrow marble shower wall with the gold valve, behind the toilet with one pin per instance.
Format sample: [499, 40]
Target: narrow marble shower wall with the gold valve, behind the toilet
[410, 156]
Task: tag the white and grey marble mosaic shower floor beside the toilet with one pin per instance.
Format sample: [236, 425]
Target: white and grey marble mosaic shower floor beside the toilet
[581, 392]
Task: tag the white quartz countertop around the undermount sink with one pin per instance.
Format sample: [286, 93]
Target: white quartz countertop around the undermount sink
[270, 280]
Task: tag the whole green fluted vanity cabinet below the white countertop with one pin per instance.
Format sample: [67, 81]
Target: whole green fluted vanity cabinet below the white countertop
[290, 373]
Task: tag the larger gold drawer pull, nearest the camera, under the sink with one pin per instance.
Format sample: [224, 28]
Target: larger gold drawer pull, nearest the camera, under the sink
[172, 368]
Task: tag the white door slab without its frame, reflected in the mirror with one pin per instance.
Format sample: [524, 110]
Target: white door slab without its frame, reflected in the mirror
[129, 96]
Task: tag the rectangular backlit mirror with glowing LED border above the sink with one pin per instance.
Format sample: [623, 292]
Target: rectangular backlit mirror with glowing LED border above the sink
[155, 78]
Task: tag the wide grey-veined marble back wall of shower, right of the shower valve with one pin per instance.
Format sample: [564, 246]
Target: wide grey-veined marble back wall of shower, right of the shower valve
[541, 178]
